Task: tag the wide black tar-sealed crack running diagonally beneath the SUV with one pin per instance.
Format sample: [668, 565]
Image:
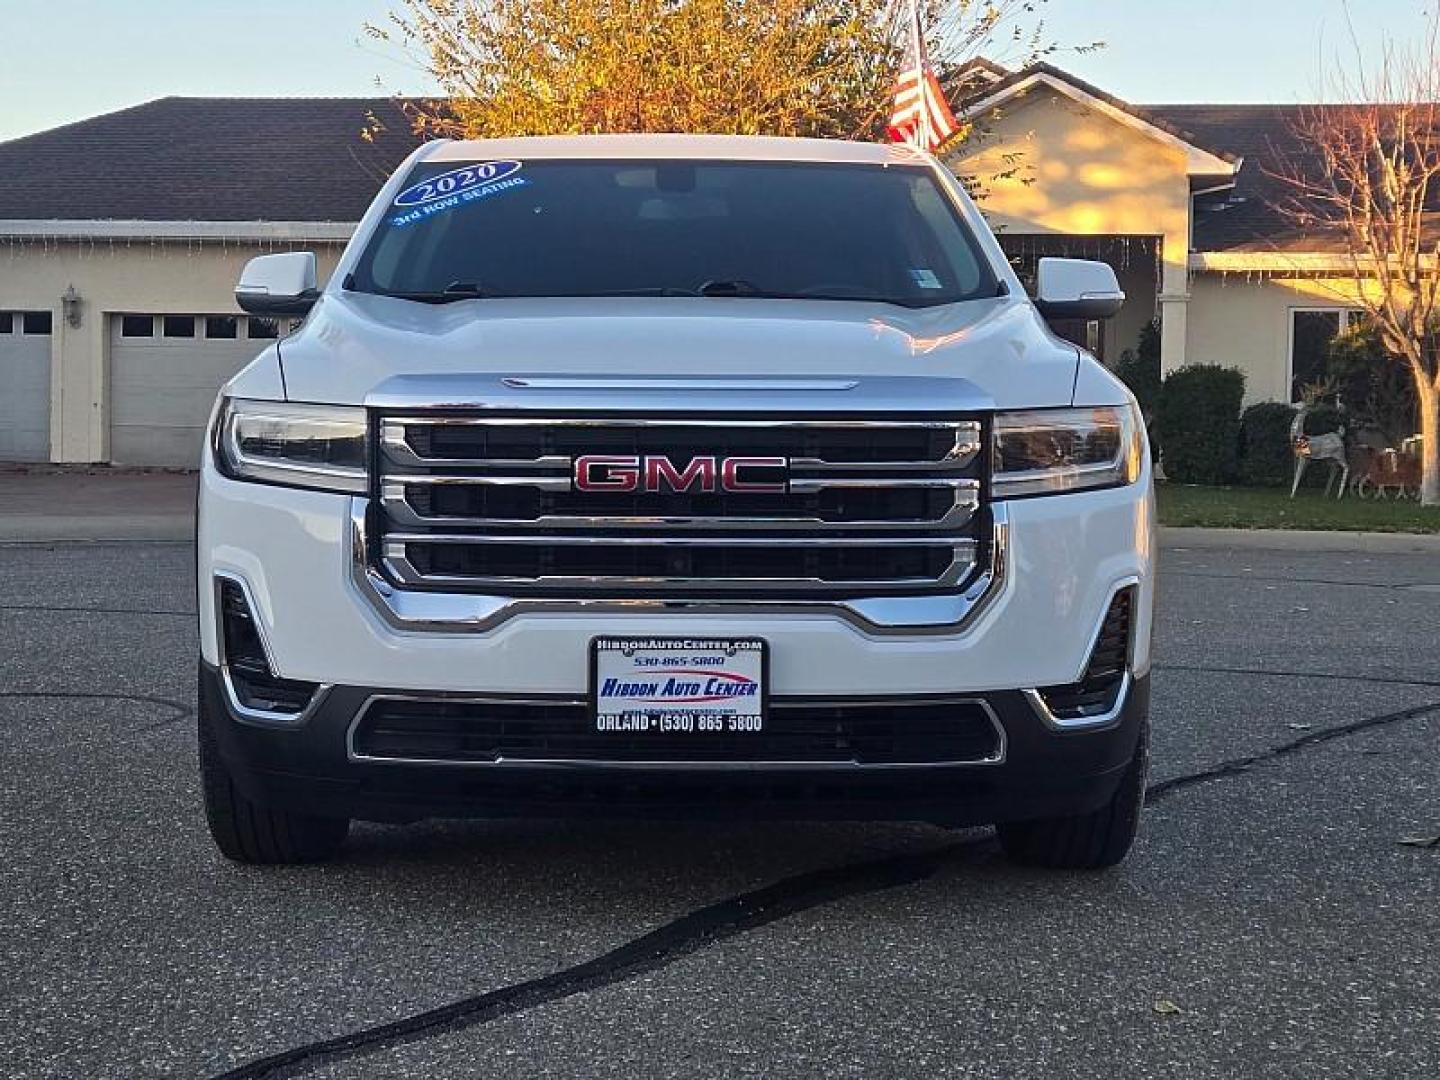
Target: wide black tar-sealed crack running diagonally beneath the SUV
[719, 922]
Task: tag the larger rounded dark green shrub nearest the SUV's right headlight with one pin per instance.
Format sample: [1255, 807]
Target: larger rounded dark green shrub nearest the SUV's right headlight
[1197, 423]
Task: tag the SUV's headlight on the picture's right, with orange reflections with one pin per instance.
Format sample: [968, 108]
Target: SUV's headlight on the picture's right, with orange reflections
[1052, 451]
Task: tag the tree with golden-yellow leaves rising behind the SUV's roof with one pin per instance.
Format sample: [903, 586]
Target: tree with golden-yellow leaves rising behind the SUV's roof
[725, 67]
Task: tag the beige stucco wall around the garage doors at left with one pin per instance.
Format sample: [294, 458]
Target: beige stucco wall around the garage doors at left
[116, 277]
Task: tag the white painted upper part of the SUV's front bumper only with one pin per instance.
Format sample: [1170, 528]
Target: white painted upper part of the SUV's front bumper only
[294, 551]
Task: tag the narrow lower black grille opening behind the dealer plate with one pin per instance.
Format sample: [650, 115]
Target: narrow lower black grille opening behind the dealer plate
[490, 732]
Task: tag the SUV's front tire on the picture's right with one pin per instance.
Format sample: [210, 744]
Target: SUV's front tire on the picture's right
[1085, 842]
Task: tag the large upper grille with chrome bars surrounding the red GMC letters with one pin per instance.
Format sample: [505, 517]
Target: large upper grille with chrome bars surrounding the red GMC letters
[859, 508]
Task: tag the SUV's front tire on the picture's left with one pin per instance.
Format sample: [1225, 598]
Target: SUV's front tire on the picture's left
[254, 834]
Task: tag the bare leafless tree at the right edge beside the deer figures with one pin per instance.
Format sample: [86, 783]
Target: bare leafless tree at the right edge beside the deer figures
[1367, 174]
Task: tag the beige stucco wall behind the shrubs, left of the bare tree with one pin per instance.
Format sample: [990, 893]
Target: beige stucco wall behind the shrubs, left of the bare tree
[1239, 320]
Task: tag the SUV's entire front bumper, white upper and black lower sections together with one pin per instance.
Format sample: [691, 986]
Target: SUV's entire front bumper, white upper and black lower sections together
[294, 552]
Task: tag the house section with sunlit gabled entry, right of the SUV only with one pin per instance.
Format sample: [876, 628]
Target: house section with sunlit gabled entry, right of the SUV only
[1187, 205]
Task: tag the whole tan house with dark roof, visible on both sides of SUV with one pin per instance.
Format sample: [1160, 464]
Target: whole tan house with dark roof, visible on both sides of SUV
[122, 240]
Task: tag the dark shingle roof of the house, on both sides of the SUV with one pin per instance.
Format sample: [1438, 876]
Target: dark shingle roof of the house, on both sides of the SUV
[305, 161]
